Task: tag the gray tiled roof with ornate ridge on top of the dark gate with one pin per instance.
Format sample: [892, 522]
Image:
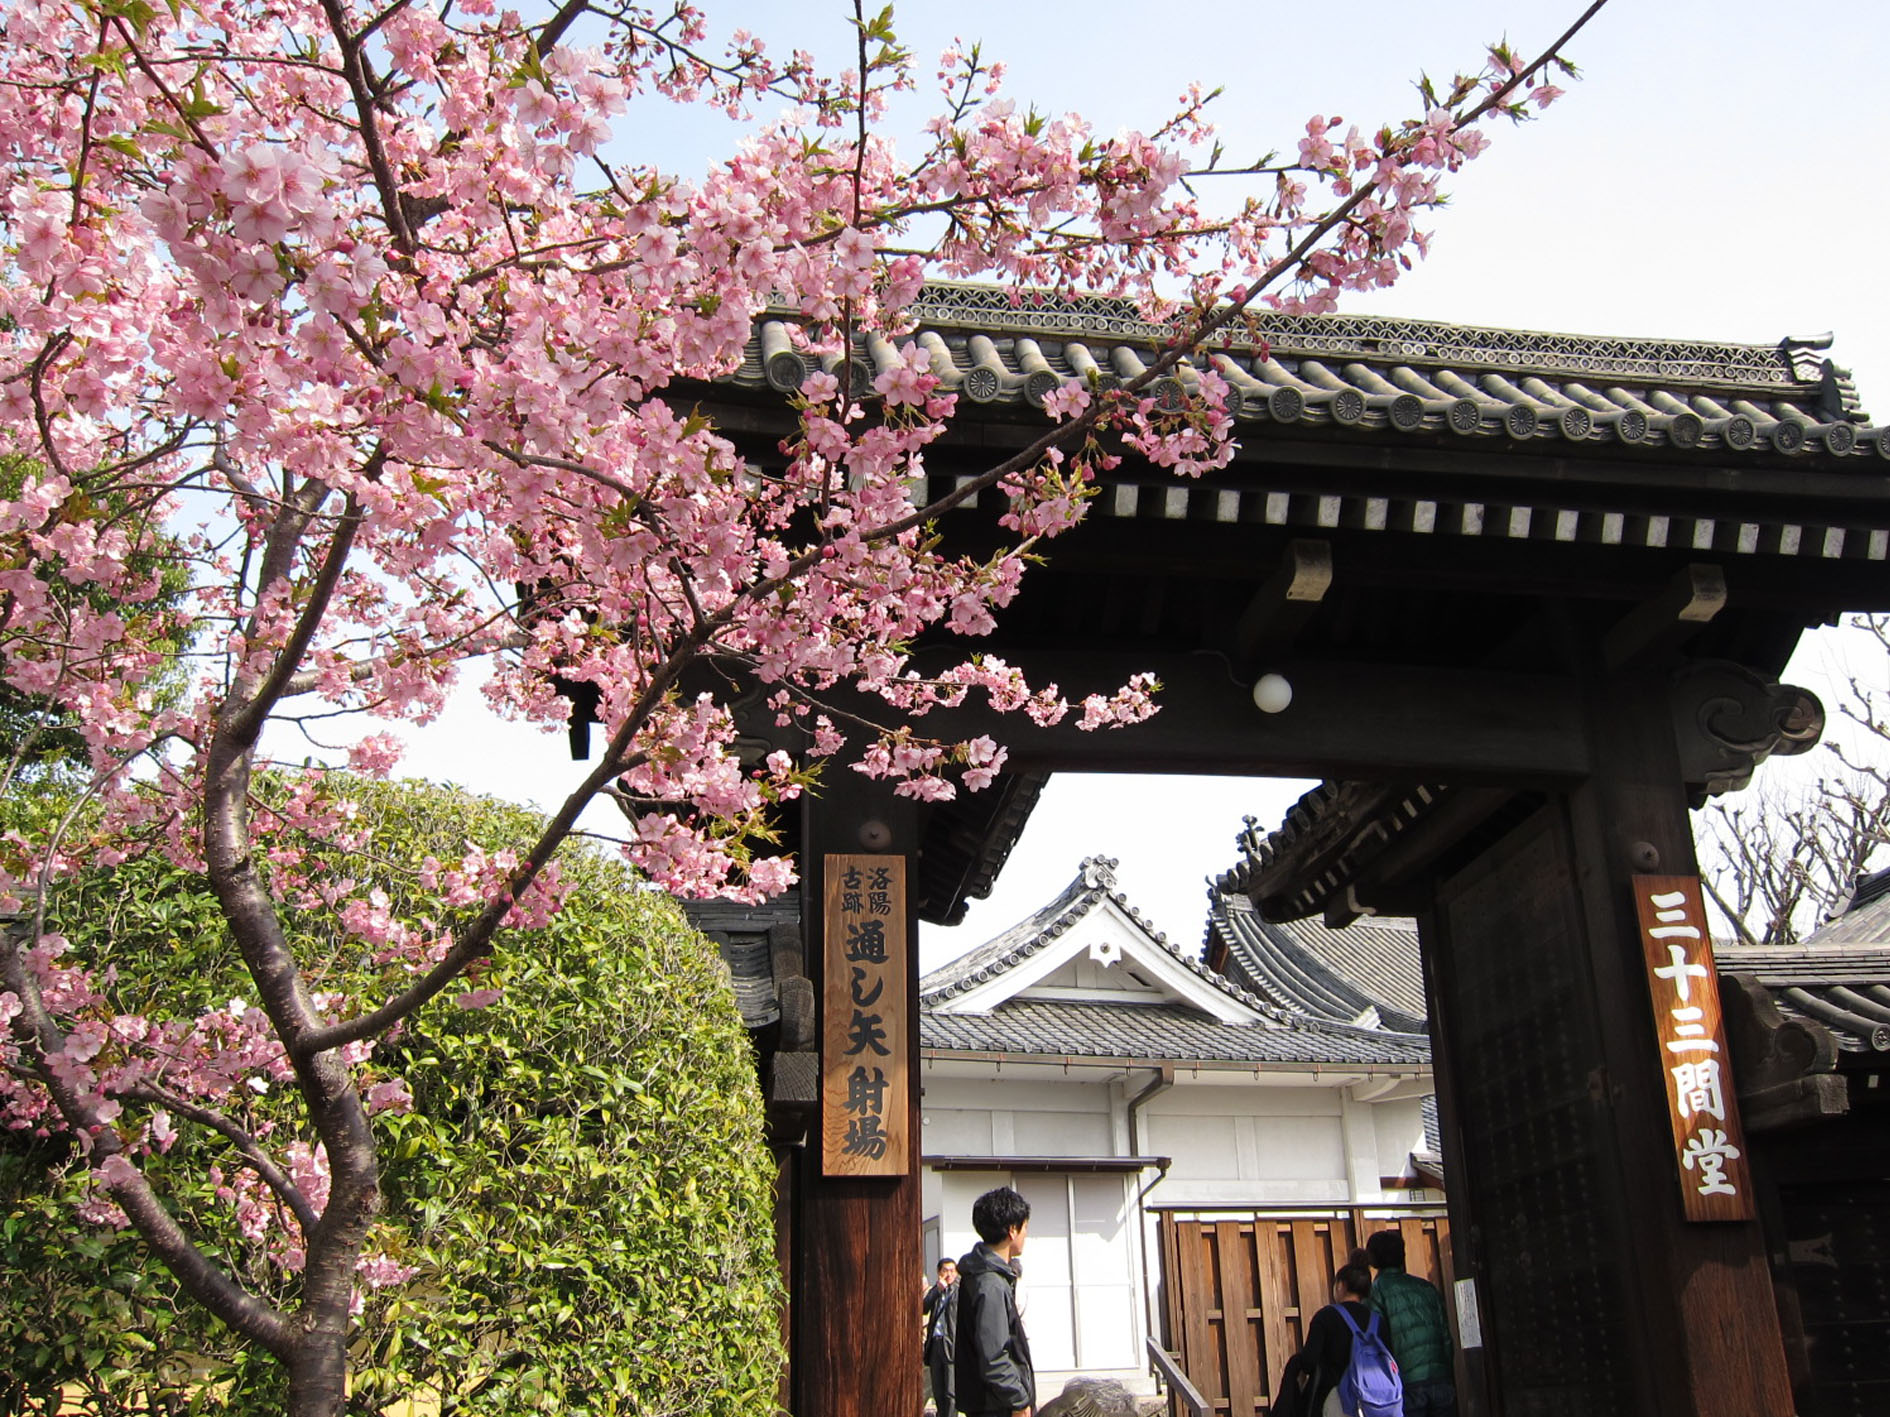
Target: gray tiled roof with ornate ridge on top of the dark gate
[1407, 377]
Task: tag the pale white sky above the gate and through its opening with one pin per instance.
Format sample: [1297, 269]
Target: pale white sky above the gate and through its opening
[1717, 175]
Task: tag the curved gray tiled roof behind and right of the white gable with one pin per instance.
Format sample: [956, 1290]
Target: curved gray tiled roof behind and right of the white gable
[1328, 974]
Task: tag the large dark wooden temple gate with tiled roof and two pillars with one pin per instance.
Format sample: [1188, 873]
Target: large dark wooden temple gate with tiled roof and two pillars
[1530, 598]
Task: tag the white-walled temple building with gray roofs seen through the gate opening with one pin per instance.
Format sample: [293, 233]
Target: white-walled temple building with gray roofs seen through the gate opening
[1141, 1102]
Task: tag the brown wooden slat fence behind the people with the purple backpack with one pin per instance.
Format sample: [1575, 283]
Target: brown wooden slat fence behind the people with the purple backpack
[1241, 1289]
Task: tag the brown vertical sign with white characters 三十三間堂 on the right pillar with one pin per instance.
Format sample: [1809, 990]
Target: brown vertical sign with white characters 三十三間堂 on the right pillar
[1708, 1140]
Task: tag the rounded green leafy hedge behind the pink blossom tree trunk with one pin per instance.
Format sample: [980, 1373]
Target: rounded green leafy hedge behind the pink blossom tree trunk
[581, 1186]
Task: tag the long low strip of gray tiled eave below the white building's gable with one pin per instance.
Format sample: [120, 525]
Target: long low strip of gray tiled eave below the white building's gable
[1161, 1033]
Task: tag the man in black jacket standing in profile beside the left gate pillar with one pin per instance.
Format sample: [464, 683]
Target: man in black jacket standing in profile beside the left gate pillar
[993, 1363]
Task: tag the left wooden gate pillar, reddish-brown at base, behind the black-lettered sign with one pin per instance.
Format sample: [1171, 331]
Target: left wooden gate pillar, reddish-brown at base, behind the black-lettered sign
[859, 1269]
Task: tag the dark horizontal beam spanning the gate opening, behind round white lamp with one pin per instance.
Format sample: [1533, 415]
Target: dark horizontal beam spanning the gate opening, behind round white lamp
[1373, 723]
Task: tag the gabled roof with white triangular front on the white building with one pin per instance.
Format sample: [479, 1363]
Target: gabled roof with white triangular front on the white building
[984, 1002]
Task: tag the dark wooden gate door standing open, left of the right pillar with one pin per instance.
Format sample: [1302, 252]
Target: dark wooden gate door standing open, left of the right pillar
[1532, 1108]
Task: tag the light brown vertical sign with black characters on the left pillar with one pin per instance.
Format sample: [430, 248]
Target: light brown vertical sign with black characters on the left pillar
[865, 1108]
